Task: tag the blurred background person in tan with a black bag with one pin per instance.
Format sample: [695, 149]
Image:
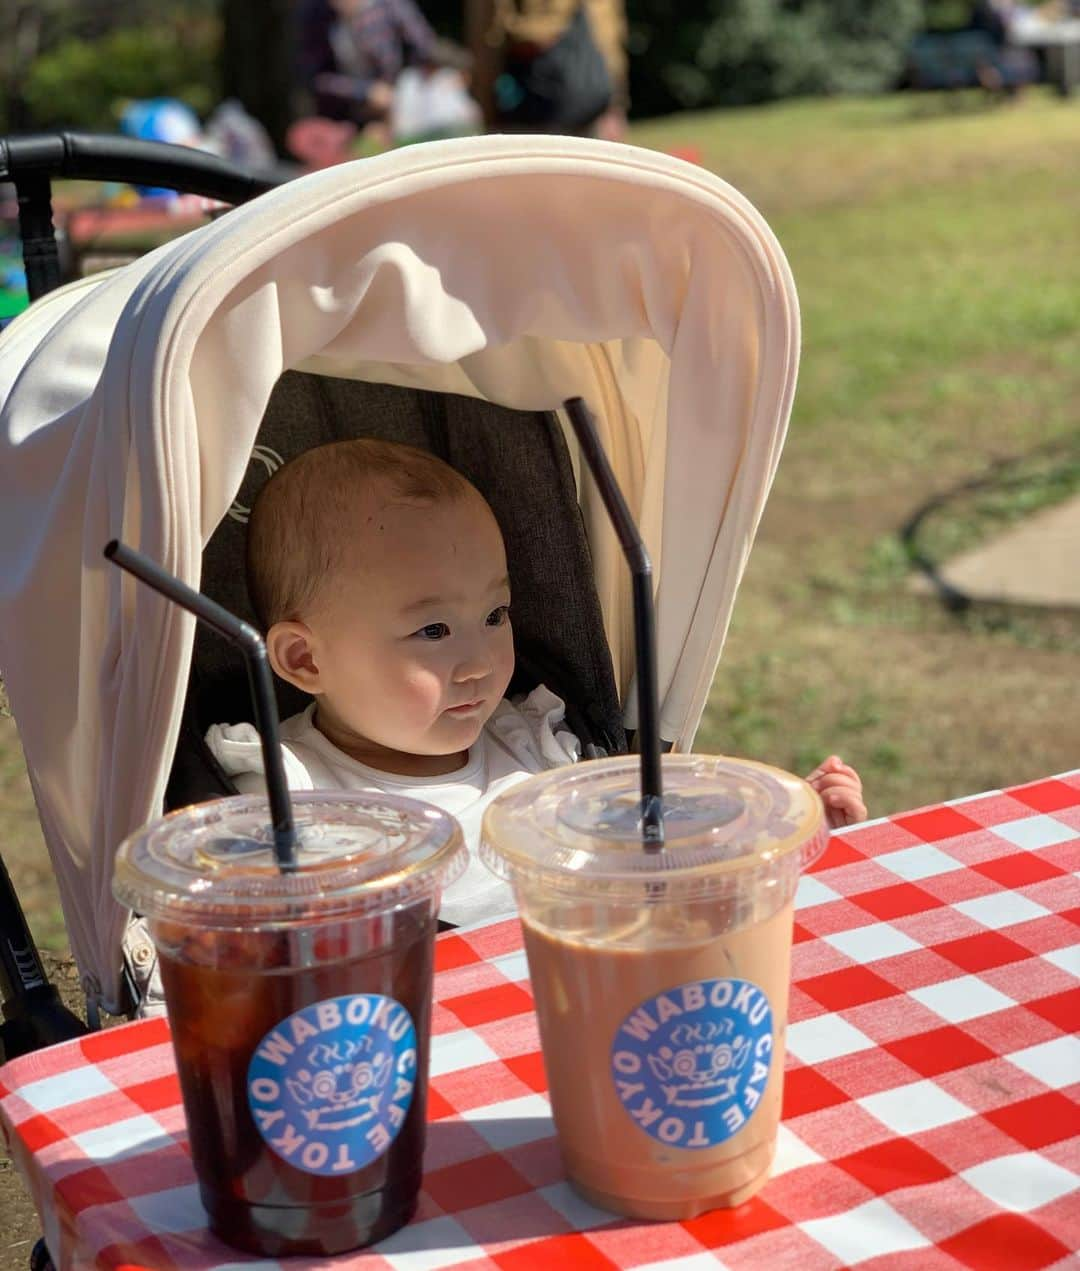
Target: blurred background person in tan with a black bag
[551, 65]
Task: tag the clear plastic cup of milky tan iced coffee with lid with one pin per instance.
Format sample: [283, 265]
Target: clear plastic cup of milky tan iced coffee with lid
[660, 978]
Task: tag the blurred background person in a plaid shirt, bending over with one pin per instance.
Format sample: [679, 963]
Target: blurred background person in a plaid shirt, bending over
[353, 53]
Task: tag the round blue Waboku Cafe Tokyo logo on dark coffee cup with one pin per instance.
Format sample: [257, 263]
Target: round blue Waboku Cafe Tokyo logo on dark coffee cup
[330, 1089]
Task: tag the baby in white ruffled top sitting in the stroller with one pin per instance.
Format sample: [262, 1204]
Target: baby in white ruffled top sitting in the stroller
[379, 576]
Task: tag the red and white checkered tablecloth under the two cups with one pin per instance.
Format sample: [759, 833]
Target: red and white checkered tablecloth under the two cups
[931, 1108]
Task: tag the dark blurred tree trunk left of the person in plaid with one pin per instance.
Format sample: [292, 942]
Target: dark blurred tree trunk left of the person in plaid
[257, 62]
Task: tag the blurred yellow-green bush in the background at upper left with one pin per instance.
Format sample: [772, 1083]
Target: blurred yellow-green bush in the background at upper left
[81, 83]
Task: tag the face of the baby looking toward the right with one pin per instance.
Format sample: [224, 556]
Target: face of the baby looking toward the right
[415, 645]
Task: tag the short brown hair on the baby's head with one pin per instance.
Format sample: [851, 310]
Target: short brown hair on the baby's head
[300, 527]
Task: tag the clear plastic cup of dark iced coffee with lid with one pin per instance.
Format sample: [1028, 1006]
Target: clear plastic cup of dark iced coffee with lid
[299, 1006]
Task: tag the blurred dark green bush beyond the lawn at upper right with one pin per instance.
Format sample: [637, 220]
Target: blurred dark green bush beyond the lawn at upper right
[731, 53]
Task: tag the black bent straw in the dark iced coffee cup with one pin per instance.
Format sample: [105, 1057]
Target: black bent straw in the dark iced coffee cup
[255, 650]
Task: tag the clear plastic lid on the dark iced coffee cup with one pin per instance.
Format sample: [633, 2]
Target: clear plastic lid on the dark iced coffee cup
[214, 864]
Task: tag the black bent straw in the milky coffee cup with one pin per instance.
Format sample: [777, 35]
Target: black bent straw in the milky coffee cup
[645, 620]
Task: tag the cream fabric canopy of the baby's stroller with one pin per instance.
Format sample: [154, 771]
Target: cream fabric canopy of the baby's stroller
[520, 271]
